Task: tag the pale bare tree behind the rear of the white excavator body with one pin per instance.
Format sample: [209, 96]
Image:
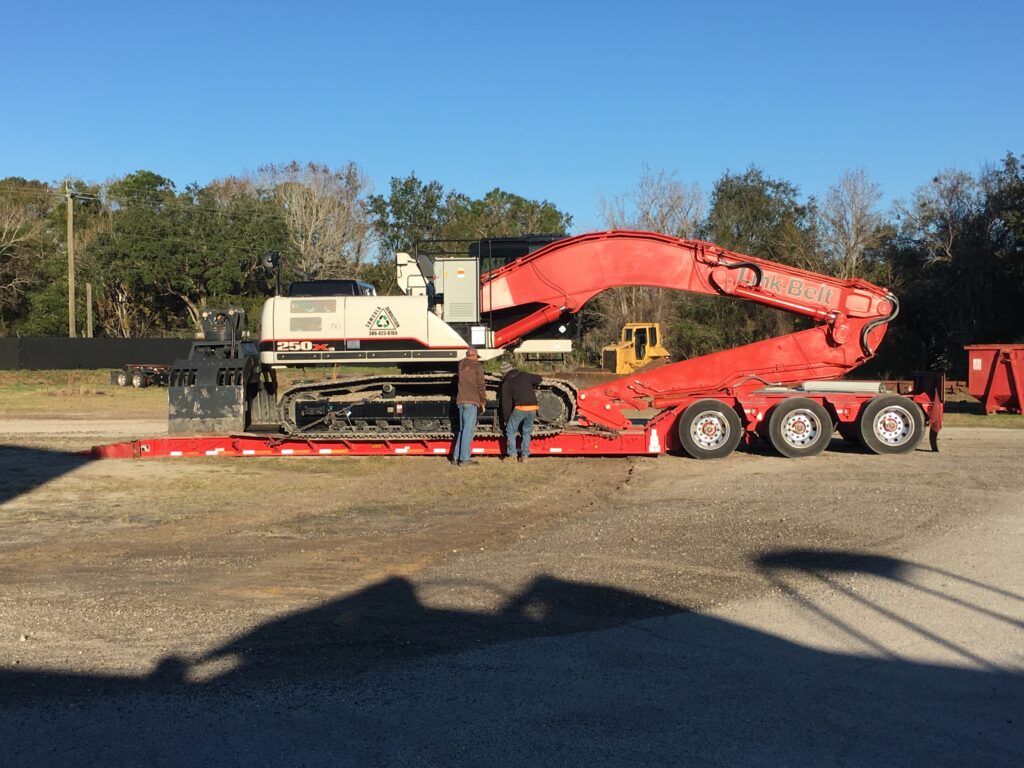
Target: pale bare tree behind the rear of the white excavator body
[325, 211]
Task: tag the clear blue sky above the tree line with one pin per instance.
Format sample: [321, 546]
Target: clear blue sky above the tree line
[565, 102]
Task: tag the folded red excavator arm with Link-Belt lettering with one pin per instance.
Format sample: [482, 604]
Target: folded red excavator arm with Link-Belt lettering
[851, 315]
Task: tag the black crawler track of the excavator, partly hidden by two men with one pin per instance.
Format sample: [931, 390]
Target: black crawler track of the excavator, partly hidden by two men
[412, 406]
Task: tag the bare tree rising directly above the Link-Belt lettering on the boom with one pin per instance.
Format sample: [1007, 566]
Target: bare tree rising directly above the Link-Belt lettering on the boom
[850, 222]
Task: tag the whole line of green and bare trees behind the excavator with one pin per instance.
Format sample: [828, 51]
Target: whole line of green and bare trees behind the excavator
[156, 257]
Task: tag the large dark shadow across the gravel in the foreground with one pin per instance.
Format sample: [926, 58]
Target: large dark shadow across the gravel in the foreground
[563, 674]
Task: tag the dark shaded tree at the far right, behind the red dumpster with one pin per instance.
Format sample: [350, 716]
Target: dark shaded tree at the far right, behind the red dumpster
[957, 259]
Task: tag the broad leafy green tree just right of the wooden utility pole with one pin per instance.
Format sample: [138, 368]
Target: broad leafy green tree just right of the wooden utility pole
[167, 255]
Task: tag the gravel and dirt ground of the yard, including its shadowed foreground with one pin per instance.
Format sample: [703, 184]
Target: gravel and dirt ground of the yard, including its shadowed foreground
[845, 610]
